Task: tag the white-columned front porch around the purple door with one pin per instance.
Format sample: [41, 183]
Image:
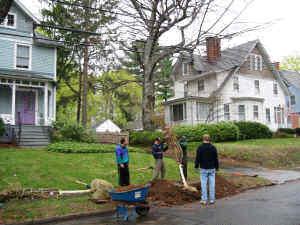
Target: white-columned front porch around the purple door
[27, 102]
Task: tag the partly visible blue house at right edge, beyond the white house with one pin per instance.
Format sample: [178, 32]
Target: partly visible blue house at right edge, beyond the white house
[292, 81]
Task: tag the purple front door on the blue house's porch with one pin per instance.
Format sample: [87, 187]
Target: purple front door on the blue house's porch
[25, 107]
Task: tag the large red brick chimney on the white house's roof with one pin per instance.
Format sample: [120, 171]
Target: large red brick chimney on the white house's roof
[213, 49]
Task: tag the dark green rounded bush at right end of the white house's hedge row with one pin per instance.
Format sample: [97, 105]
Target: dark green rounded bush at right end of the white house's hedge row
[253, 130]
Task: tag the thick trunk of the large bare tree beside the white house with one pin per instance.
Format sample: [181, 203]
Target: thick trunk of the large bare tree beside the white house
[148, 102]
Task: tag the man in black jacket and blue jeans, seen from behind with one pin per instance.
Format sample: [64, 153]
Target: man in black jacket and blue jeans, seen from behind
[207, 158]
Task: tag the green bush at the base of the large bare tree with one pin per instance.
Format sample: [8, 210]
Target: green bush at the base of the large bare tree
[144, 137]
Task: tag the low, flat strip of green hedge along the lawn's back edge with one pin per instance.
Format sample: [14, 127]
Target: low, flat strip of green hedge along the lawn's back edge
[80, 147]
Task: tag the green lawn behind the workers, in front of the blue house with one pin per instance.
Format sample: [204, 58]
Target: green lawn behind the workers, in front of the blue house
[43, 169]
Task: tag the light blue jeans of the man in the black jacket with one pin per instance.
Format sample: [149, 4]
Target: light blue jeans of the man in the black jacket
[208, 175]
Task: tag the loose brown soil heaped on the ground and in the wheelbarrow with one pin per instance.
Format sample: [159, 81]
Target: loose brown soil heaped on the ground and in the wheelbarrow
[168, 193]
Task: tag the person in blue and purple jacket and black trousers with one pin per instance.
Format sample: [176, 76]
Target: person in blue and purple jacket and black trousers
[122, 161]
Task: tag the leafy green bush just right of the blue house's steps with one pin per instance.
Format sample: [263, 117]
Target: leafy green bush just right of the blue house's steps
[70, 131]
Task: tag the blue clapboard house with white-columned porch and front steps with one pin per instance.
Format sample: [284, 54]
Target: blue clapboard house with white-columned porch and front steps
[27, 77]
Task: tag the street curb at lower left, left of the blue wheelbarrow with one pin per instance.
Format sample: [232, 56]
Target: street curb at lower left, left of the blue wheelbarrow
[64, 218]
